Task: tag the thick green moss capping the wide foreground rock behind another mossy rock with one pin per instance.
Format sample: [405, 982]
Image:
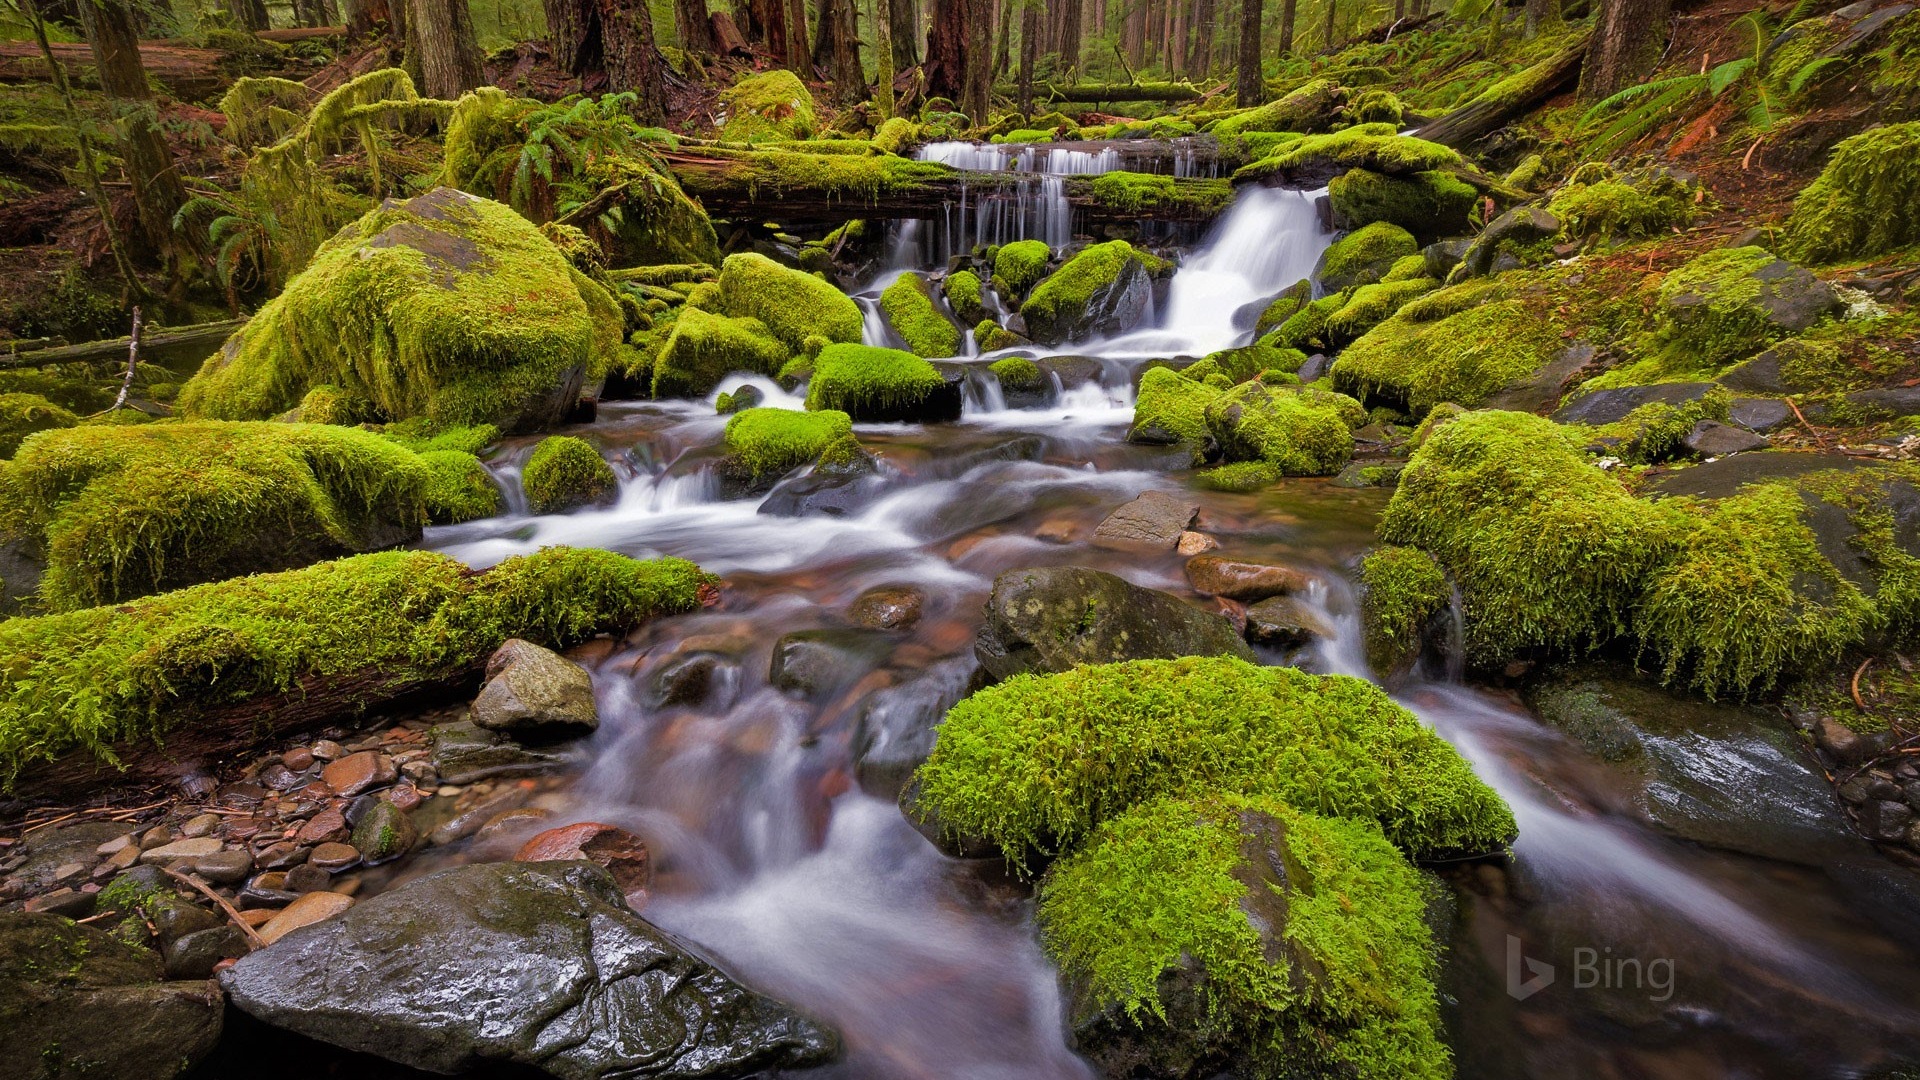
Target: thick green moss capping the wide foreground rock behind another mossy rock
[1042, 762]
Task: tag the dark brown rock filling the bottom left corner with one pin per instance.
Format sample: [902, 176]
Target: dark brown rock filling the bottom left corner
[78, 1002]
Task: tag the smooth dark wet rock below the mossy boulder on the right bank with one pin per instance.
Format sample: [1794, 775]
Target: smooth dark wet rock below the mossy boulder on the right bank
[1717, 775]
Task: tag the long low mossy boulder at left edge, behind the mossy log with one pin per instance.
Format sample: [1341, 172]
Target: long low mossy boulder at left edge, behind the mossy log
[124, 512]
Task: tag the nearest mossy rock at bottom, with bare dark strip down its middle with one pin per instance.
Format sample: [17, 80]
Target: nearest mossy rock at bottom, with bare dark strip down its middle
[1243, 937]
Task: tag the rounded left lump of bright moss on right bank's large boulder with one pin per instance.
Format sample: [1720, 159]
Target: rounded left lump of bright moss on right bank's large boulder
[1547, 549]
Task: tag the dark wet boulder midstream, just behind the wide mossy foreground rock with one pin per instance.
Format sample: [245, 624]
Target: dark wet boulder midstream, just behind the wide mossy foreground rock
[1055, 618]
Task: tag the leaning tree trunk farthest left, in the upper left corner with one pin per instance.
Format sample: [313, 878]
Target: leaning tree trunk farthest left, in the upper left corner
[156, 185]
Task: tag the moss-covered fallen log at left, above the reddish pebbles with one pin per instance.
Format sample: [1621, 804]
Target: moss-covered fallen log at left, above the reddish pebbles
[155, 685]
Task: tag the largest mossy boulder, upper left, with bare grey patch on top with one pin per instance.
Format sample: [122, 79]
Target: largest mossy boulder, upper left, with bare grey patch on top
[444, 307]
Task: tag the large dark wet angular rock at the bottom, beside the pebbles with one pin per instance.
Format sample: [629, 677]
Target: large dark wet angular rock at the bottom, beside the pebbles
[606, 994]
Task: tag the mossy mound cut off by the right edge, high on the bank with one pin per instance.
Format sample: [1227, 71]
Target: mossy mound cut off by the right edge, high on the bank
[1865, 203]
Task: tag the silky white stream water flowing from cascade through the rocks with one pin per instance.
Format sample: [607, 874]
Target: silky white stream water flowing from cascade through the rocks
[798, 873]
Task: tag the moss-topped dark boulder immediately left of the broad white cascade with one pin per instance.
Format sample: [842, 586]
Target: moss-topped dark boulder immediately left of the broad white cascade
[1101, 291]
